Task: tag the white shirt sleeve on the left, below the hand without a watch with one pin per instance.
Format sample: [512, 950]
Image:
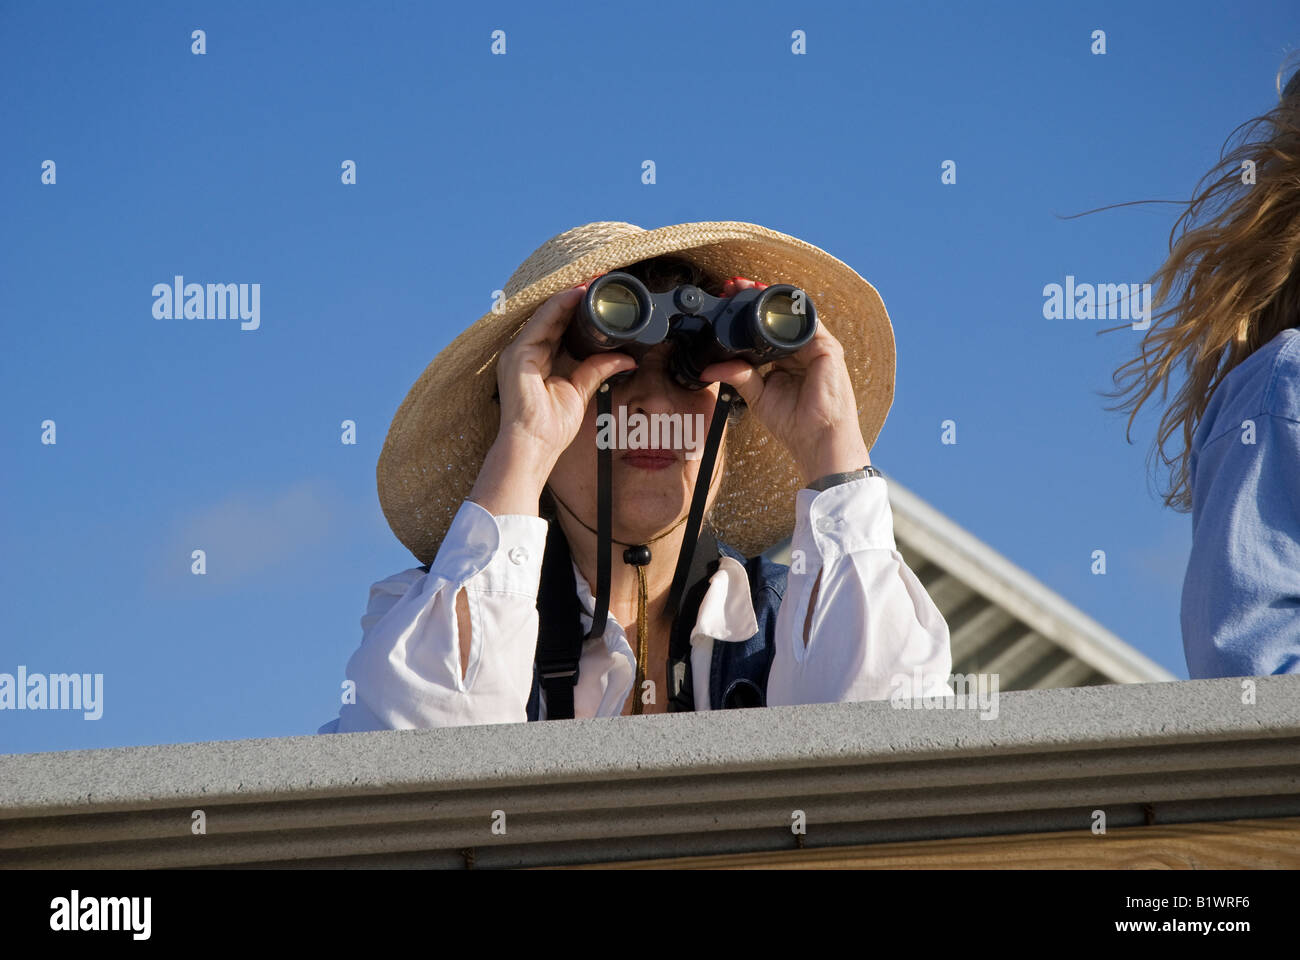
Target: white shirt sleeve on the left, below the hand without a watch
[408, 672]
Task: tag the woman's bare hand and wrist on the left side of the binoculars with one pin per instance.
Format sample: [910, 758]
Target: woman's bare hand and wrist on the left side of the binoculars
[544, 401]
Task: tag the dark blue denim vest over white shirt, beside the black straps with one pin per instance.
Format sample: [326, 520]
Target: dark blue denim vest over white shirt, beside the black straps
[738, 674]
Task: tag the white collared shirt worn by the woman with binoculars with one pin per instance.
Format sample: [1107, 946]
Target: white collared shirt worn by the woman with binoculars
[873, 626]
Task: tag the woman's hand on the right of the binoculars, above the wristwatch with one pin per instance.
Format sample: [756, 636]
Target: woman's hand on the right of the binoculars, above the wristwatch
[805, 401]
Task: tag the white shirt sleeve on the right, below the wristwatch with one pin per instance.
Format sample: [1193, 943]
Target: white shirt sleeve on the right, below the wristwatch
[874, 625]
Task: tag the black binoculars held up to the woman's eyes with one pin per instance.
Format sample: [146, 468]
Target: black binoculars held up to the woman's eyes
[619, 313]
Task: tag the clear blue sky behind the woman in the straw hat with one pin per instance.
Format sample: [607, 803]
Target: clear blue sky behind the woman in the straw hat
[226, 168]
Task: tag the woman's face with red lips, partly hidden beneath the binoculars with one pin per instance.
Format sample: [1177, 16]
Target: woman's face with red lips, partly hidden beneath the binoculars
[652, 488]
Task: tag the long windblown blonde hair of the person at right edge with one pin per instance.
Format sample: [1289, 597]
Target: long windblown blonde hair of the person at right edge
[1232, 283]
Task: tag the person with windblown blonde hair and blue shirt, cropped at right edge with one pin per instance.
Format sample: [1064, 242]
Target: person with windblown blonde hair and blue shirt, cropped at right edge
[1232, 438]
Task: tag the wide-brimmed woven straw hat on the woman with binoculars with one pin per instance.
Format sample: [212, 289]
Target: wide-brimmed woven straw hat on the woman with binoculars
[449, 421]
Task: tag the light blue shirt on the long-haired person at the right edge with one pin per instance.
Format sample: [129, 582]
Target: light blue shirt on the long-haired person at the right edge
[1241, 611]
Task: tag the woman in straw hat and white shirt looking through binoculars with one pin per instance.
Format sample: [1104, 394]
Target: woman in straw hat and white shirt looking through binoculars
[502, 504]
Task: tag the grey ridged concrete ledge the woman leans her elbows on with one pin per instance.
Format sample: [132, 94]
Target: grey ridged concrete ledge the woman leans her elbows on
[683, 785]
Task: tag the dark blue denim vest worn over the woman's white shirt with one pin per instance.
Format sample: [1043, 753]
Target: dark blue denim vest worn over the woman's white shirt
[738, 674]
